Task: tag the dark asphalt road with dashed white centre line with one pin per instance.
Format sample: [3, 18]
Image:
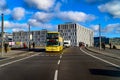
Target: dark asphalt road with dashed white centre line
[71, 64]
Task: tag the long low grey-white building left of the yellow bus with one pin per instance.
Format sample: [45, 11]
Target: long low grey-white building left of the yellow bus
[38, 37]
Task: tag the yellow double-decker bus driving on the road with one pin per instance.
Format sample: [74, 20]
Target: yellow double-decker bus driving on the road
[54, 42]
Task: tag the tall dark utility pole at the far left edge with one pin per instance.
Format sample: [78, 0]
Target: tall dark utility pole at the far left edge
[2, 33]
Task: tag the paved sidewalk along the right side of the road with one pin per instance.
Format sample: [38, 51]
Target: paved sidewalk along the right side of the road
[109, 52]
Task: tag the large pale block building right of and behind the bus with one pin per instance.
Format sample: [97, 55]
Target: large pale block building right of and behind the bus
[76, 33]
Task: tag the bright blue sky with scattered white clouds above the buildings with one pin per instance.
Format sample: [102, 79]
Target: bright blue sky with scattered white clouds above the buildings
[47, 14]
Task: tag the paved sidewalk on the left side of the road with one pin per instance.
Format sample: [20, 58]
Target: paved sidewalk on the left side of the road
[13, 53]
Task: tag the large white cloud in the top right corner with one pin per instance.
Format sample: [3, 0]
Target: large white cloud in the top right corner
[113, 8]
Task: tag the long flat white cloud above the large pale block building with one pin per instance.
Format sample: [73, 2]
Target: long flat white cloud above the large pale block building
[75, 16]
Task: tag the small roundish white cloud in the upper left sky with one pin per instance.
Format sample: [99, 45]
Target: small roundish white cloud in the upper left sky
[18, 13]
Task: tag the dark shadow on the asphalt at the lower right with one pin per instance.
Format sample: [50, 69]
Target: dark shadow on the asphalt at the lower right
[104, 72]
